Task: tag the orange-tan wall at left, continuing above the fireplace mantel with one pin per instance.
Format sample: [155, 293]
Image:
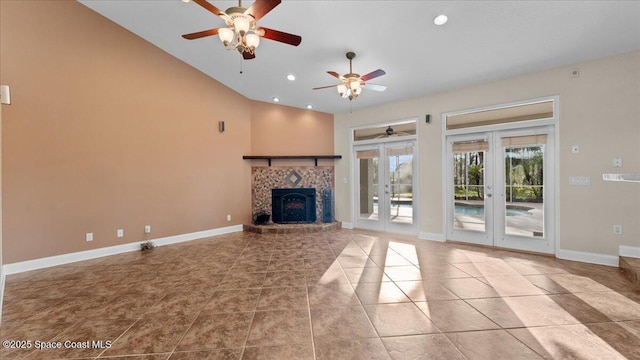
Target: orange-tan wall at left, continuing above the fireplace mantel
[106, 131]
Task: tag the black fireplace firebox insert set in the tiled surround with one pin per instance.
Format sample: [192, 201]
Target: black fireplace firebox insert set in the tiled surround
[293, 206]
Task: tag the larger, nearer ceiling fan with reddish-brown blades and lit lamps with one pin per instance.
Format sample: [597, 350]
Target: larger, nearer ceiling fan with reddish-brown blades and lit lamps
[241, 32]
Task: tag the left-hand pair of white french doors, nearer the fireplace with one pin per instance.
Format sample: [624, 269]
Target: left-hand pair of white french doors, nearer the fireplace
[385, 186]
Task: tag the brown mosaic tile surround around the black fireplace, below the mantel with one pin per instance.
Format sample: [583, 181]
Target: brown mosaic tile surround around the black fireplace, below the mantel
[265, 178]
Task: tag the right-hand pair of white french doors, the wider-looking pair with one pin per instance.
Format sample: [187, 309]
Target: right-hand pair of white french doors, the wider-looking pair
[500, 189]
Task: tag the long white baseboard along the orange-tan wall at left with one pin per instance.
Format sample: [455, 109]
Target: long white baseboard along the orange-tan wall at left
[14, 268]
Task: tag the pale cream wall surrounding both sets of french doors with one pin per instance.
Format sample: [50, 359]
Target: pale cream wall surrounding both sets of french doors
[599, 111]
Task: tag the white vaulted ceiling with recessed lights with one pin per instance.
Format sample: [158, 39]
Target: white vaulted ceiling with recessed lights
[483, 41]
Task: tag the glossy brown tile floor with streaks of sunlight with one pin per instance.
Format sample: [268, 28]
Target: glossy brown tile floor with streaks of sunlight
[337, 295]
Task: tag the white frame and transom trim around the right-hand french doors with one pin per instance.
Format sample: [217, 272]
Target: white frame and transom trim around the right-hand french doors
[552, 228]
